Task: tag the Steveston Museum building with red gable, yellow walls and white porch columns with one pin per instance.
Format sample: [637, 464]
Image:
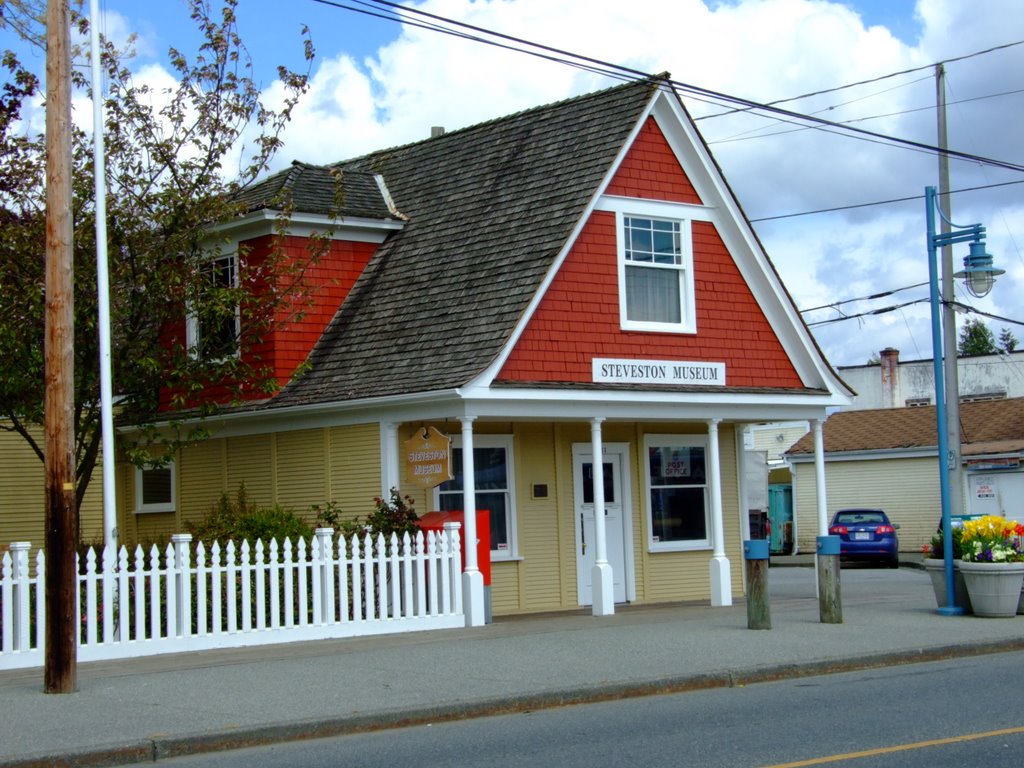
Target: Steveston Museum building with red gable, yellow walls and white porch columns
[567, 288]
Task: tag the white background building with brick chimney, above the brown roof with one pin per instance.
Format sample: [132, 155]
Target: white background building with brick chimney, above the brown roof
[898, 383]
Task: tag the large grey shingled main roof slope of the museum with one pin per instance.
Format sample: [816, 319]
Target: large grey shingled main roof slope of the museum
[489, 209]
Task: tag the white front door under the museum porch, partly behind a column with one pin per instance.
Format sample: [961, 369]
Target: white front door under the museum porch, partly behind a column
[617, 520]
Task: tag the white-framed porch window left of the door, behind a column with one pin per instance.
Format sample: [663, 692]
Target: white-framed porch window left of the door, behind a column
[495, 478]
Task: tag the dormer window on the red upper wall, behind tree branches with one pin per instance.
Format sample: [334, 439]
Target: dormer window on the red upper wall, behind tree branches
[212, 333]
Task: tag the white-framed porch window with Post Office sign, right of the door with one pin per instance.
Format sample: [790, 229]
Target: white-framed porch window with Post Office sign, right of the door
[676, 485]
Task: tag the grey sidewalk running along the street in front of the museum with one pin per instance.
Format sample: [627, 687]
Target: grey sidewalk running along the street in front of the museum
[166, 706]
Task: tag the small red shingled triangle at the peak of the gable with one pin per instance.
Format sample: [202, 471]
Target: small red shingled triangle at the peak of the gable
[651, 170]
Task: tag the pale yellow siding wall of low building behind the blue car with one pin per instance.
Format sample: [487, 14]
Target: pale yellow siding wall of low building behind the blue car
[907, 489]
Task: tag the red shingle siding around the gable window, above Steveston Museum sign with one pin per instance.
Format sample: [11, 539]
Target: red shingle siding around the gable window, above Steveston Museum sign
[578, 319]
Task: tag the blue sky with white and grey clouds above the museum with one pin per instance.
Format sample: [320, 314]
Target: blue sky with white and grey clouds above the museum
[377, 83]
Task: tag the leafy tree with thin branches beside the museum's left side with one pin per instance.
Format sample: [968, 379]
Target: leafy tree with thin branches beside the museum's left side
[178, 162]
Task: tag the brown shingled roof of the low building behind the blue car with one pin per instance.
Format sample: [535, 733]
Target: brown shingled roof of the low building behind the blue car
[987, 428]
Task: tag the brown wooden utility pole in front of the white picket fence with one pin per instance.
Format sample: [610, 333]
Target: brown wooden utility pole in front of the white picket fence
[61, 665]
